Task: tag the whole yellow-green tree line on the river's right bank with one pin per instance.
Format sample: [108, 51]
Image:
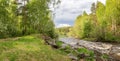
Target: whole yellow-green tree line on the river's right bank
[103, 24]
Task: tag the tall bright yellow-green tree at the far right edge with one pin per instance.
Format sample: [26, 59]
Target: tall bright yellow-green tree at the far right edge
[113, 17]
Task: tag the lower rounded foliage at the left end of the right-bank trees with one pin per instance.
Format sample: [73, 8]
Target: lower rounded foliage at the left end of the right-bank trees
[83, 26]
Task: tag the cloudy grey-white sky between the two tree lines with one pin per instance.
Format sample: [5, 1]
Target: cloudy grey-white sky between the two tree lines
[69, 9]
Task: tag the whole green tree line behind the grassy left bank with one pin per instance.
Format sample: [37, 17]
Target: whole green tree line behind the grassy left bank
[26, 17]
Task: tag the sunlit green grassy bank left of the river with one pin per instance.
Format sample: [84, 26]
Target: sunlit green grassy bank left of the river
[29, 48]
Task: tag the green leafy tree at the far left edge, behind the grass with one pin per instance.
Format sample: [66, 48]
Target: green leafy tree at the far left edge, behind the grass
[8, 18]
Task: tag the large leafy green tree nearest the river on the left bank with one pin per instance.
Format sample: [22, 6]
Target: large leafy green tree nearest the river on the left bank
[39, 17]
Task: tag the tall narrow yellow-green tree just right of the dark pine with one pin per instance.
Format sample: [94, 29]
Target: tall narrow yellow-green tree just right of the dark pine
[102, 23]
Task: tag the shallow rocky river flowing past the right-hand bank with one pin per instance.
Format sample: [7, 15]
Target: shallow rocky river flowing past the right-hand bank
[112, 50]
